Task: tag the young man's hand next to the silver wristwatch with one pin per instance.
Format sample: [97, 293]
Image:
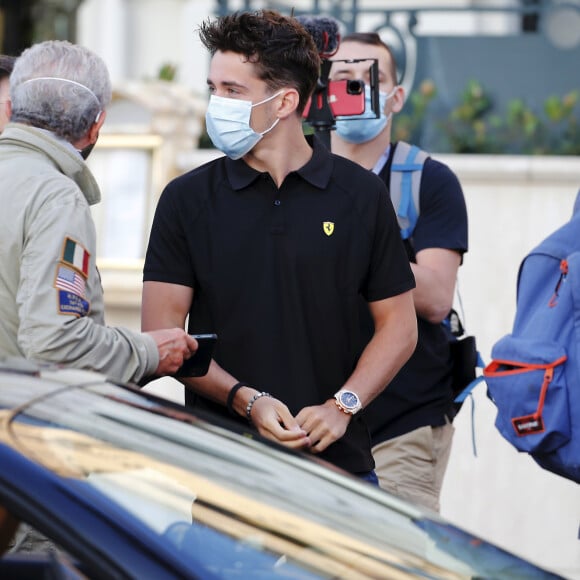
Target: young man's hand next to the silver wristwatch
[324, 424]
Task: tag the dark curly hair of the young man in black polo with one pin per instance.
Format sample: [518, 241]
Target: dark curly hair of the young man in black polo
[281, 48]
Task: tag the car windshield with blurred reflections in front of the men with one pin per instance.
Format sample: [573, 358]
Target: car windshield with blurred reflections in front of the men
[228, 503]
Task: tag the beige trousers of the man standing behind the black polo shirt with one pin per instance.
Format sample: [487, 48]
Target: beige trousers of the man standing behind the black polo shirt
[412, 465]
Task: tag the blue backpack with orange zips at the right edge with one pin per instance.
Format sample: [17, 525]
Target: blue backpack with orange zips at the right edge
[534, 376]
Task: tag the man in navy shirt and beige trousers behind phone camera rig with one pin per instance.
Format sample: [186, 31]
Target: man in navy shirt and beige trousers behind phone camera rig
[410, 421]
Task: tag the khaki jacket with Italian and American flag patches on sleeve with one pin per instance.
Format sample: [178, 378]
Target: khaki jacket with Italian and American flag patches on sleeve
[51, 298]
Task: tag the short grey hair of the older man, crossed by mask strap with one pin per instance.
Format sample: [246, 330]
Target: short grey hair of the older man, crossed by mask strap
[71, 87]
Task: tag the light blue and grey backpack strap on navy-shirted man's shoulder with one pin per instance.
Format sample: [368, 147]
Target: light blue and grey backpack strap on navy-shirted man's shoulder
[404, 184]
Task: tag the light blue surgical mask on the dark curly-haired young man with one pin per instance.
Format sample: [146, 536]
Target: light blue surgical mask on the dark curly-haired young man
[228, 125]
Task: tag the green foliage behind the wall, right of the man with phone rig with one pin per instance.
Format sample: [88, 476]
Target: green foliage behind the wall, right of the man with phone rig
[475, 126]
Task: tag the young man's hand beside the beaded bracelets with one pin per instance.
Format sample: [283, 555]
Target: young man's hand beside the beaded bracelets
[274, 421]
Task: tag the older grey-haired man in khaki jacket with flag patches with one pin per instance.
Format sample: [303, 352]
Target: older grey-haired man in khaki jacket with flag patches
[51, 299]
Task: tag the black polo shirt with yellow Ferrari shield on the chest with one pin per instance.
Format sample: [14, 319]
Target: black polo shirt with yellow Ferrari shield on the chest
[277, 273]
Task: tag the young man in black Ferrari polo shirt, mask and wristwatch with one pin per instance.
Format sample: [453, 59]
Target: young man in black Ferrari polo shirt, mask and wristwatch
[271, 246]
